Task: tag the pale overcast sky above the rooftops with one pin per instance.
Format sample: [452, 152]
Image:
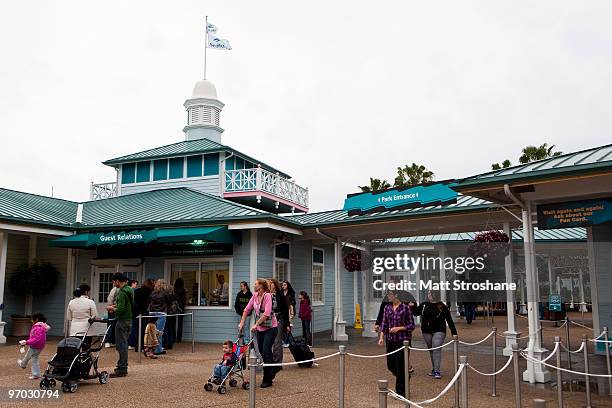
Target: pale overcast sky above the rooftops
[331, 92]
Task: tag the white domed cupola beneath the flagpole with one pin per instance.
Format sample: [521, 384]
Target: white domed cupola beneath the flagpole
[203, 112]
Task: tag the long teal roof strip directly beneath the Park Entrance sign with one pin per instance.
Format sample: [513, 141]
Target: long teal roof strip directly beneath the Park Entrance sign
[464, 203]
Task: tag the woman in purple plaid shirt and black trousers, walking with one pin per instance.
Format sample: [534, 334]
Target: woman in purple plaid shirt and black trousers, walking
[396, 326]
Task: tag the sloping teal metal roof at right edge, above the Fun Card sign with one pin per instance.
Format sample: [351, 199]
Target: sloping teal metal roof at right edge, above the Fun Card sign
[566, 164]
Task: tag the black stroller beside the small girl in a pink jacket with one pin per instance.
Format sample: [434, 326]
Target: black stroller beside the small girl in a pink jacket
[76, 359]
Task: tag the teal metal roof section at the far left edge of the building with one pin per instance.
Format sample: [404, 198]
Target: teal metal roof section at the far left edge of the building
[35, 209]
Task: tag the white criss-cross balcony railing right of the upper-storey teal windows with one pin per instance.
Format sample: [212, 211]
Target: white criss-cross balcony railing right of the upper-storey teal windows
[264, 183]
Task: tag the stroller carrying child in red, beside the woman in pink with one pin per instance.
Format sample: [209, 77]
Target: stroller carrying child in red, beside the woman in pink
[232, 365]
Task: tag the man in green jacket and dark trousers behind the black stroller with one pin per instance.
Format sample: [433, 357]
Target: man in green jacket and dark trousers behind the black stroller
[123, 321]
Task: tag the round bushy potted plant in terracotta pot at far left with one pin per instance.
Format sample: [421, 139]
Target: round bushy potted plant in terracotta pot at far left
[33, 280]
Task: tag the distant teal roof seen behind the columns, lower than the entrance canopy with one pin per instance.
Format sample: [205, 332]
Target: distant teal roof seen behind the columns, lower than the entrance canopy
[566, 234]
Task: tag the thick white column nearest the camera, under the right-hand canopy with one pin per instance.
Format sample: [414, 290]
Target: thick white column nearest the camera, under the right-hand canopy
[535, 372]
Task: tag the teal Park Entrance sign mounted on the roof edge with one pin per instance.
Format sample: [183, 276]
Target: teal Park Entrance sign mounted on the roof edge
[400, 198]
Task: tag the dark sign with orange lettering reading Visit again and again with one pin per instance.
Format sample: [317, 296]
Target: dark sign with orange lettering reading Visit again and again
[575, 213]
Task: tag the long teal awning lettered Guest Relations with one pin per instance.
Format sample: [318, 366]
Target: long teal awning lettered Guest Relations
[170, 235]
